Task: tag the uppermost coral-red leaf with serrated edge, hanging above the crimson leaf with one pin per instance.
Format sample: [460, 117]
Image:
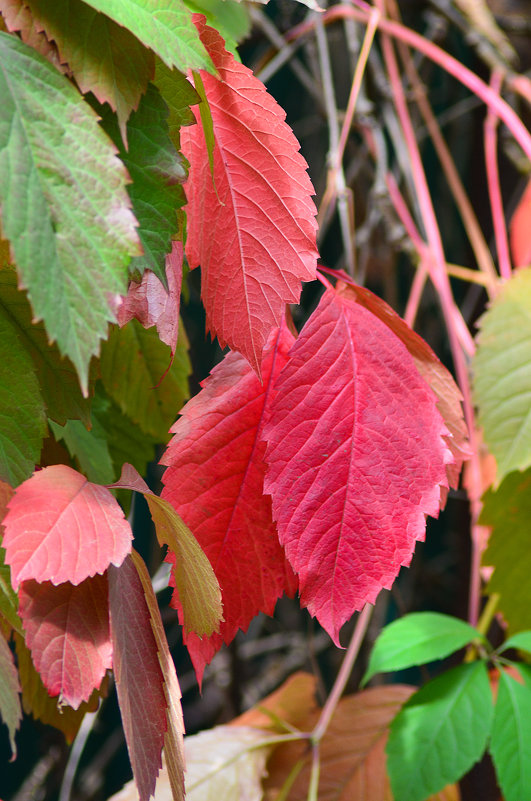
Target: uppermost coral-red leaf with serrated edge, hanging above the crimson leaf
[253, 232]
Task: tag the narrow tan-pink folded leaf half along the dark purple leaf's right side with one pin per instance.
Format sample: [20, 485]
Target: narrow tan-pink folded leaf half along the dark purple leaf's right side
[173, 741]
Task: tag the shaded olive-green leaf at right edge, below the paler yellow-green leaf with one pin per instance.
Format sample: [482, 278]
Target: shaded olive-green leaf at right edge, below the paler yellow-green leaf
[508, 511]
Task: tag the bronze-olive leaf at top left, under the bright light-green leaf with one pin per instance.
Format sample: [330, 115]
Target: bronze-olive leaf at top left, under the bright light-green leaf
[104, 57]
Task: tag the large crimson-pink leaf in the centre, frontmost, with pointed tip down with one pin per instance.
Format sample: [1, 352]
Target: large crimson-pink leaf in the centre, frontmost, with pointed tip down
[355, 455]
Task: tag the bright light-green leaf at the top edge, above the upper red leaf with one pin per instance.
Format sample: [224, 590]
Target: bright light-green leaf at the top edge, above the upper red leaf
[163, 25]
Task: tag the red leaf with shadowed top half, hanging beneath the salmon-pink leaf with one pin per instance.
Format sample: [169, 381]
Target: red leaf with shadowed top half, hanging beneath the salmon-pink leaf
[67, 632]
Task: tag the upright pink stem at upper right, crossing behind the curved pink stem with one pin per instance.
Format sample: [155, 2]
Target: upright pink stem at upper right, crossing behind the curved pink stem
[493, 182]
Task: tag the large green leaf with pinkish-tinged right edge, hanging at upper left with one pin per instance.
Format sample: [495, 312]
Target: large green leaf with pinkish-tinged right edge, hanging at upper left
[65, 209]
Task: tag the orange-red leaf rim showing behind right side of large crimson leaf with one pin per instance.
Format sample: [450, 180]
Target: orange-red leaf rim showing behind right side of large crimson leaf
[435, 374]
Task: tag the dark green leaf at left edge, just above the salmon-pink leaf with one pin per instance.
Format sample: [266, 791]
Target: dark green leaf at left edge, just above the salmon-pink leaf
[22, 417]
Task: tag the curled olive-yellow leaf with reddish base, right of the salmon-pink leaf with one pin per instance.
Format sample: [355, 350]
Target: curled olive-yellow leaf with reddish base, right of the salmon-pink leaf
[192, 574]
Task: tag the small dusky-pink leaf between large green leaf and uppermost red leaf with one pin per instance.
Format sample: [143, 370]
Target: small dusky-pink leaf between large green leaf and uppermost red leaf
[151, 304]
